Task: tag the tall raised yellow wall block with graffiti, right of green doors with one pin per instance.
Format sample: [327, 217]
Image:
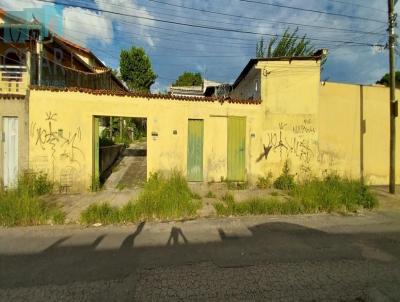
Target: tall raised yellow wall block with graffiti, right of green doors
[290, 94]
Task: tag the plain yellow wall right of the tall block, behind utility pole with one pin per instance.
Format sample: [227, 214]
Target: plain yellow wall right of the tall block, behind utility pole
[346, 110]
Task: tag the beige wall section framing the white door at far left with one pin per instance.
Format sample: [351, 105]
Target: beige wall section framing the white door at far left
[15, 106]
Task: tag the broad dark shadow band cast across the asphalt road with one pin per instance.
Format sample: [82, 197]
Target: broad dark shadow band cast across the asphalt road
[277, 243]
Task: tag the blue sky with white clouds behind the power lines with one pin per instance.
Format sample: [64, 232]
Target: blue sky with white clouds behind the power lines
[221, 55]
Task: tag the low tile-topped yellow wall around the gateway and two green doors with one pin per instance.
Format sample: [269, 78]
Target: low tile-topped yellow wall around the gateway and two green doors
[61, 132]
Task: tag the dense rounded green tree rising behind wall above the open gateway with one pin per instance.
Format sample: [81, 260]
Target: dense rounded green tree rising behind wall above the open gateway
[136, 70]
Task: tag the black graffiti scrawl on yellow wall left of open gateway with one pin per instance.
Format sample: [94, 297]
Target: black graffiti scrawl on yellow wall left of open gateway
[61, 145]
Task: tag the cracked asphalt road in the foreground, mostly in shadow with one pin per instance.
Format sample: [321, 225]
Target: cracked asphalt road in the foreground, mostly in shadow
[306, 258]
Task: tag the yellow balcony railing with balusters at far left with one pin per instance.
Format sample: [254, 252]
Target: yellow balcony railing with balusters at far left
[13, 79]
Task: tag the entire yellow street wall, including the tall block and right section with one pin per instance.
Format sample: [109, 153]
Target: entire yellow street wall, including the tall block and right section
[315, 127]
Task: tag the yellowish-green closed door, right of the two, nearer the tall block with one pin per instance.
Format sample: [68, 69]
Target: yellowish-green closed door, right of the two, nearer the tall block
[236, 148]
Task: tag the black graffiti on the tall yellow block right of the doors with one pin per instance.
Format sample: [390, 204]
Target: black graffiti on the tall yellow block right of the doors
[297, 140]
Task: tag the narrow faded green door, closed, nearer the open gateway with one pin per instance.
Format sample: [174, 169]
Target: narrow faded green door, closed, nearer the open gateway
[195, 150]
